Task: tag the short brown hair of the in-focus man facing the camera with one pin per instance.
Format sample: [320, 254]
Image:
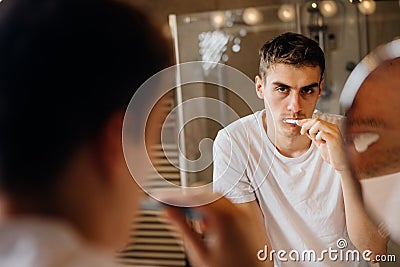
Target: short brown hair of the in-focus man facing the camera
[293, 49]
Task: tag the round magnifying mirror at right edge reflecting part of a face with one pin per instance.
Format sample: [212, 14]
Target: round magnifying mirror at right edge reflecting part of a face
[371, 100]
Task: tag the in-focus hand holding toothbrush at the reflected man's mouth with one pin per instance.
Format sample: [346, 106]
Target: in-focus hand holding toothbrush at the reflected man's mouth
[327, 137]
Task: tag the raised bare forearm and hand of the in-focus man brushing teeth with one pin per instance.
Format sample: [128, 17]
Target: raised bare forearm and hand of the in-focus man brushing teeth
[362, 231]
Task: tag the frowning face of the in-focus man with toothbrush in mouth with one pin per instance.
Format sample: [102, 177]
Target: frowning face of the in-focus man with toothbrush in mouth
[291, 92]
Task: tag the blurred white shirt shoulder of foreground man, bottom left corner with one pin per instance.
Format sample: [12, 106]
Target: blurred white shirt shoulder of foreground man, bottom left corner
[35, 242]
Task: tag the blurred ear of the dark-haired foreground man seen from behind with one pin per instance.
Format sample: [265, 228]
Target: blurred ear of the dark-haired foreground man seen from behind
[108, 147]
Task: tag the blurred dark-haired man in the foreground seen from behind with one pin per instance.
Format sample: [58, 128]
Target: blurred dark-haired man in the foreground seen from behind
[68, 69]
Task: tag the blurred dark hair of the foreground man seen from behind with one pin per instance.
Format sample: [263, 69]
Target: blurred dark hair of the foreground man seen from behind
[65, 67]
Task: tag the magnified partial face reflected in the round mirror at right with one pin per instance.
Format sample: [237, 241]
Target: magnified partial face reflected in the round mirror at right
[376, 109]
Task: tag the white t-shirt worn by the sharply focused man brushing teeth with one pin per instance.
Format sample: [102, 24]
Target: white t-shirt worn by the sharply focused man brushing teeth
[301, 198]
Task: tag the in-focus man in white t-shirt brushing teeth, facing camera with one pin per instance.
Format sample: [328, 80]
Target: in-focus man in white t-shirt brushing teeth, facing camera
[287, 169]
